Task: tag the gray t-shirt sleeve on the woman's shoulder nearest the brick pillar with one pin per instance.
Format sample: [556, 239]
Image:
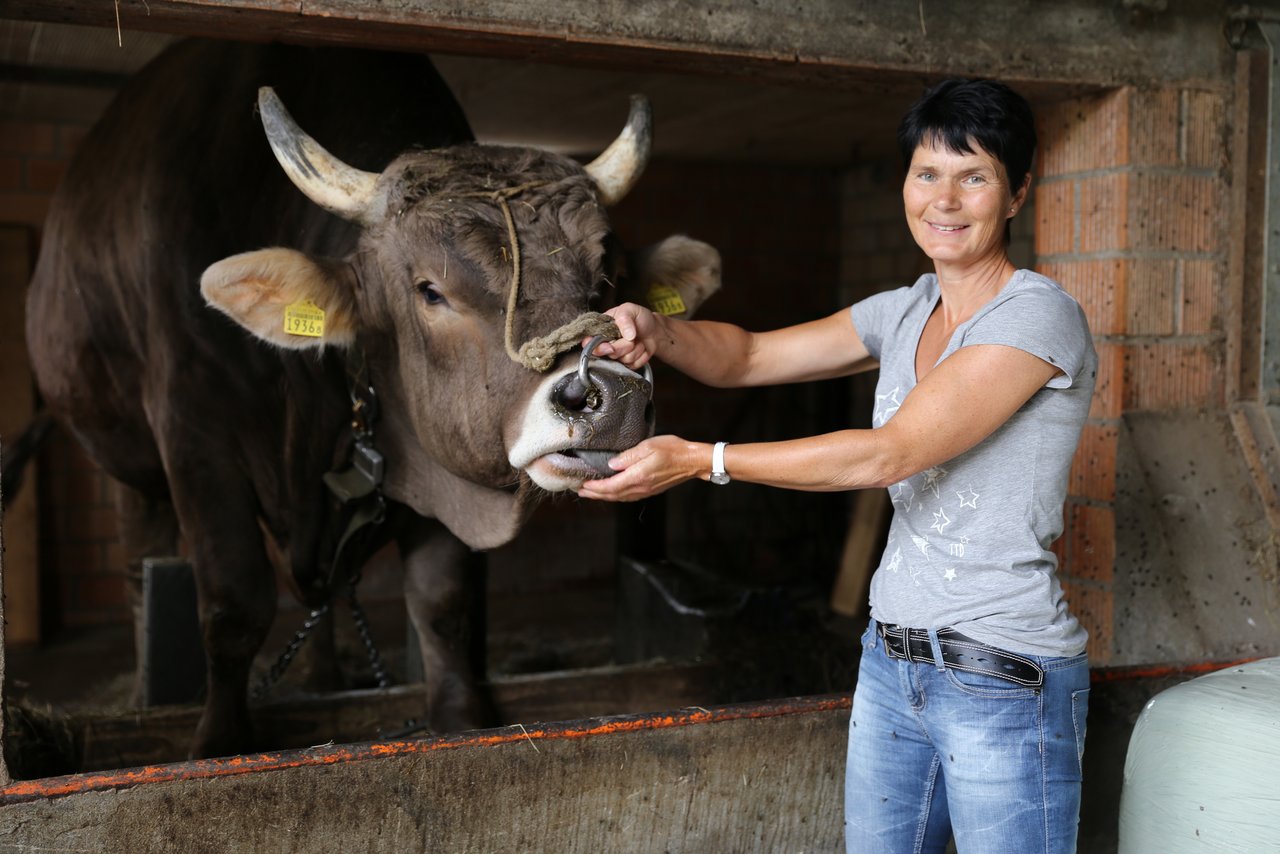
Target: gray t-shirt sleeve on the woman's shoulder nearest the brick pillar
[1045, 323]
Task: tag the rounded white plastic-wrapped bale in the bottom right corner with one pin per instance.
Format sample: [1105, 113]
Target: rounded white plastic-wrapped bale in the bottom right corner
[1204, 766]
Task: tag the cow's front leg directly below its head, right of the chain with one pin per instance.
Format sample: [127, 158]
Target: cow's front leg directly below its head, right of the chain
[441, 592]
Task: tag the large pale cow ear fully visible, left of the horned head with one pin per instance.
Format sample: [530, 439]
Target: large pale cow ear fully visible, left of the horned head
[285, 298]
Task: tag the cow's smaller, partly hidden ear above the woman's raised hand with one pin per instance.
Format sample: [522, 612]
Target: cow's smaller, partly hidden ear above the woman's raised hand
[675, 276]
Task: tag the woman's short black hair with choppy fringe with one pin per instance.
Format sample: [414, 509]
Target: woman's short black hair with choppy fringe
[959, 112]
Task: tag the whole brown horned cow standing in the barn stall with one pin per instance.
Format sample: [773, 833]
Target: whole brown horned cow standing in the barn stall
[220, 423]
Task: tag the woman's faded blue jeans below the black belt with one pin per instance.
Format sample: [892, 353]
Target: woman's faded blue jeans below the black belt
[935, 752]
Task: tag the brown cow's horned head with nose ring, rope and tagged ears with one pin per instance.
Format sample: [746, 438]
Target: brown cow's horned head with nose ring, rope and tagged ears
[469, 428]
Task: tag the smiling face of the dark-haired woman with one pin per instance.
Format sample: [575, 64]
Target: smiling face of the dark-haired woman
[957, 204]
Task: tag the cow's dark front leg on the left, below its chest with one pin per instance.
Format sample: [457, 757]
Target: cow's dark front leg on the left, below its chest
[236, 587]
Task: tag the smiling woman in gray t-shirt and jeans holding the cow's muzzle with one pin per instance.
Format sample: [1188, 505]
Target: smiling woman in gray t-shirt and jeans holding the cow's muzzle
[970, 711]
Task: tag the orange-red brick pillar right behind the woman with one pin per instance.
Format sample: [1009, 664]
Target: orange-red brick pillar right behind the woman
[1130, 191]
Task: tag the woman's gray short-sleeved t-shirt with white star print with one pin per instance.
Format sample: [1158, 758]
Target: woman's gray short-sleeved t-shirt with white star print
[970, 542]
